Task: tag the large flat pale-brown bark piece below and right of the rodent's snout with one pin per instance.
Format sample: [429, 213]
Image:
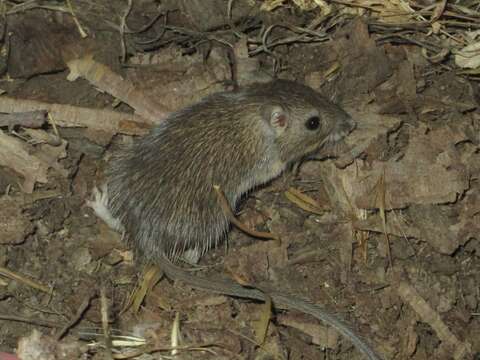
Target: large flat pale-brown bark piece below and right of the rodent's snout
[430, 172]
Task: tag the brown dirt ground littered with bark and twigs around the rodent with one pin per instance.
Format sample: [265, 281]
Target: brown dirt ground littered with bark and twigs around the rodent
[383, 232]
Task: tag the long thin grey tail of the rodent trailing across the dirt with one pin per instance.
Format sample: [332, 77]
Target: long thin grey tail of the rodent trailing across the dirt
[280, 300]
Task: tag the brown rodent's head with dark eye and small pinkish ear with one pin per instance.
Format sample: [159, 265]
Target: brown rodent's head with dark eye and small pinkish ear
[302, 120]
